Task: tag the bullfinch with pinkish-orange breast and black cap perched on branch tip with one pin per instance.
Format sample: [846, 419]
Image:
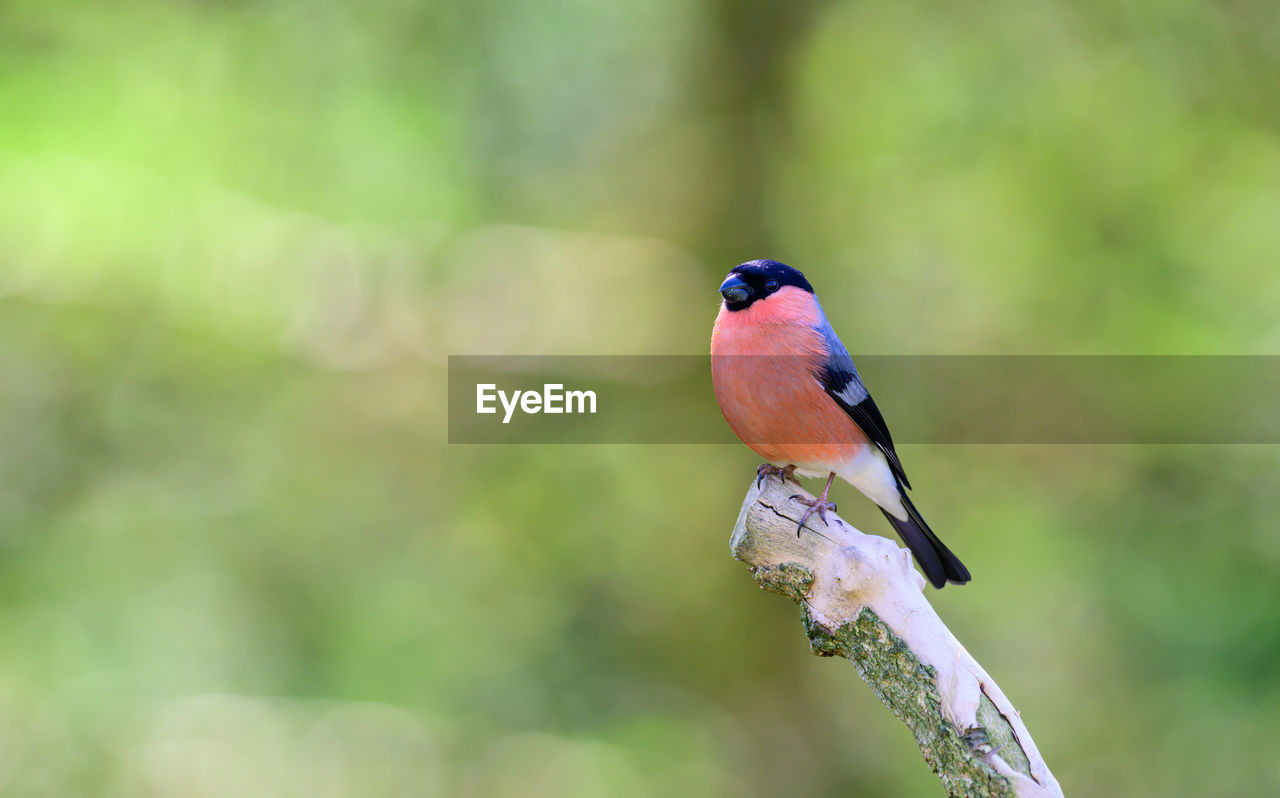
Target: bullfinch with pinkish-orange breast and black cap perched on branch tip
[789, 390]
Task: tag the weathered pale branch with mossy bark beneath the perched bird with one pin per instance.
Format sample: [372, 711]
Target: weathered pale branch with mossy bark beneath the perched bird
[862, 599]
